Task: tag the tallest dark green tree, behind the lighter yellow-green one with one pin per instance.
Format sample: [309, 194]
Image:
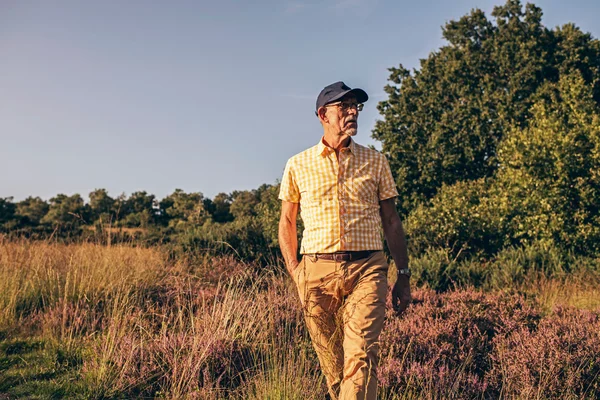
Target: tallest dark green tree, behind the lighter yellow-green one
[443, 123]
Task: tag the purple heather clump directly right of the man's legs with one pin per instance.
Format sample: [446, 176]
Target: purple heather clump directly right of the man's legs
[441, 346]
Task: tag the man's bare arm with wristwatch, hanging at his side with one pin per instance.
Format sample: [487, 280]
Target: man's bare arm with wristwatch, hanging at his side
[396, 240]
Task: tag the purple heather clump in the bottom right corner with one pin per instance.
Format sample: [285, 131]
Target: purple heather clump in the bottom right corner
[560, 358]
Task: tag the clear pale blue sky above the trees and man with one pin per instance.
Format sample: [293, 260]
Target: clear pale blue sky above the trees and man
[205, 96]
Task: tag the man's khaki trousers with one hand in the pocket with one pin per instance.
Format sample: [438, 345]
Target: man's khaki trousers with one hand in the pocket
[344, 309]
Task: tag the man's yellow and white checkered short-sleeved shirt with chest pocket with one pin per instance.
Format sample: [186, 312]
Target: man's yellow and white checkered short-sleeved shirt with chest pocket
[339, 202]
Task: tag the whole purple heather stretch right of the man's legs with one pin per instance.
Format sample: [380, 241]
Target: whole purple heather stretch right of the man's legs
[470, 345]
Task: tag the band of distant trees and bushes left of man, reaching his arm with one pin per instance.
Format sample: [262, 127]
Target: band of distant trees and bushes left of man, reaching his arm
[242, 221]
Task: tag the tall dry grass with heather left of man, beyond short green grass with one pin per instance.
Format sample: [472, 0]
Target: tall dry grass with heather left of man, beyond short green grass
[145, 326]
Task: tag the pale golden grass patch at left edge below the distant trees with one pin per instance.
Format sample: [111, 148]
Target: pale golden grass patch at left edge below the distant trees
[38, 276]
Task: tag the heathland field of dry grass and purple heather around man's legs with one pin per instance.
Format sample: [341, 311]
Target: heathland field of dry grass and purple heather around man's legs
[94, 321]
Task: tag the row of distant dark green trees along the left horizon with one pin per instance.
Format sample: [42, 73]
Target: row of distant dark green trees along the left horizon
[140, 210]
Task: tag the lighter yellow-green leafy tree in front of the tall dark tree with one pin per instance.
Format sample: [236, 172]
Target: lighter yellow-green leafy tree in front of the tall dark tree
[546, 189]
